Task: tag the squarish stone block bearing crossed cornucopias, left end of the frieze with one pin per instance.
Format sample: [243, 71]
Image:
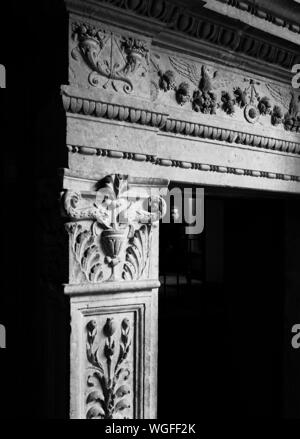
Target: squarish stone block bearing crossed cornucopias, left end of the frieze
[102, 58]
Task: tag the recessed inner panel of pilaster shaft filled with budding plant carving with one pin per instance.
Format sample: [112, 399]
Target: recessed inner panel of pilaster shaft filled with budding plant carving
[110, 369]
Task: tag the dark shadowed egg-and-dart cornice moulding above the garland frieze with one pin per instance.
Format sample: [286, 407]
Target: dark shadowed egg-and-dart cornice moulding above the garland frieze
[211, 29]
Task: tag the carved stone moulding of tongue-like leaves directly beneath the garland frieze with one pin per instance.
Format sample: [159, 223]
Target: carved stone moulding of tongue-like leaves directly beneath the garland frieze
[163, 122]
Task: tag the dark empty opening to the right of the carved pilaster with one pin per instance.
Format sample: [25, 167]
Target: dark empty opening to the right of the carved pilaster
[226, 302]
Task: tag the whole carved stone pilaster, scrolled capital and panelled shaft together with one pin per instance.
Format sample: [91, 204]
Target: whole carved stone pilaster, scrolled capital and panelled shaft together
[113, 281]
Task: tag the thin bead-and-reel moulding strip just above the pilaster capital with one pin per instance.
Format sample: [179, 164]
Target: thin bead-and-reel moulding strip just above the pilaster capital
[161, 161]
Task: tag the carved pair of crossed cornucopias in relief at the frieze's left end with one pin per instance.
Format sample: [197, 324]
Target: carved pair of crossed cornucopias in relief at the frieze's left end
[108, 56]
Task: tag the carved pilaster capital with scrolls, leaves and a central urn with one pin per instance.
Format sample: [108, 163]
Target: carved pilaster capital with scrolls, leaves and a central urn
[110, 232]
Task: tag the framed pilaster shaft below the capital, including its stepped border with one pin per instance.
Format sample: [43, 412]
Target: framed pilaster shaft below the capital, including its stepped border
[113, 356]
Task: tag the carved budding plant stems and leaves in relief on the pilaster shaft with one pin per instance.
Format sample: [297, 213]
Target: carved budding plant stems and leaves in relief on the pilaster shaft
[108, 390]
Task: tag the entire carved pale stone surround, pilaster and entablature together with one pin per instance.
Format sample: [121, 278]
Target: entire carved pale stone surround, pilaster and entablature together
[157, 92]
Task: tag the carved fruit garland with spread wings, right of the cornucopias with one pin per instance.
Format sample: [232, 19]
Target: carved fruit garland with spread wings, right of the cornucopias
[213, 91]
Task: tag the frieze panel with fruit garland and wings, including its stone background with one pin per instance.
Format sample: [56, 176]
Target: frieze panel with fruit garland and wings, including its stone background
[204, 89]
